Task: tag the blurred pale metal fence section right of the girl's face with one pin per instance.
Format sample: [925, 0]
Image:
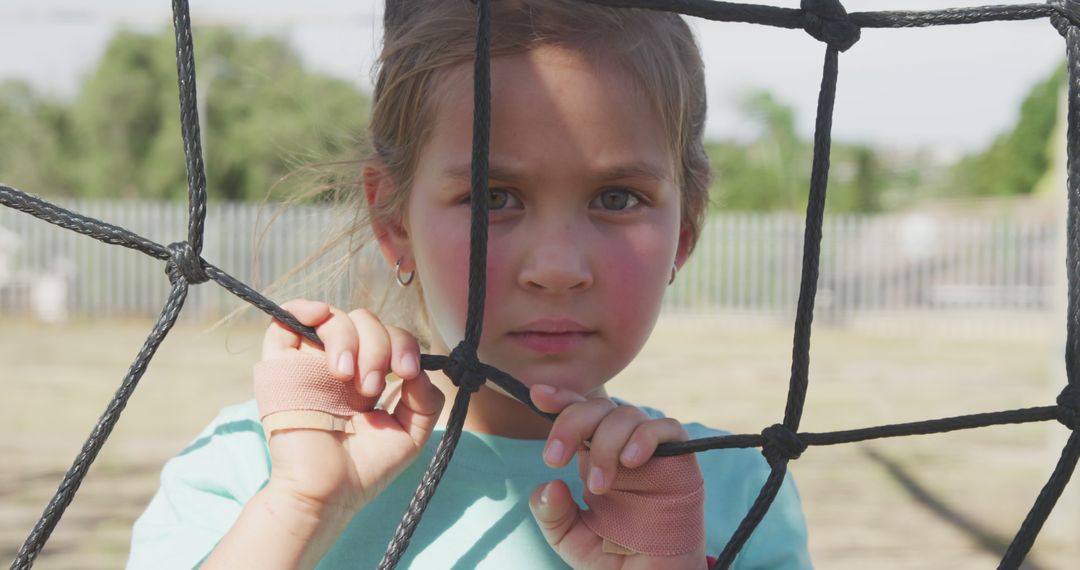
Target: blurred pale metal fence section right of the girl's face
[914, 262]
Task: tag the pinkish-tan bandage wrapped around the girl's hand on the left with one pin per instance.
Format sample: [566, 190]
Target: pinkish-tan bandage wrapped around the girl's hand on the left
[302, 392]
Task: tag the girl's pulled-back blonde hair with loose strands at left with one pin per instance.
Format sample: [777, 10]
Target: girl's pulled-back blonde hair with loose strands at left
[425, 39]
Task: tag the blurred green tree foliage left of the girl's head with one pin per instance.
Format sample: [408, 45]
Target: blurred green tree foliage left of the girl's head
[263, 116]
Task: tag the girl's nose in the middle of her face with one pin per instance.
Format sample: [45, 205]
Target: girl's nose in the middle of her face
[556, 264]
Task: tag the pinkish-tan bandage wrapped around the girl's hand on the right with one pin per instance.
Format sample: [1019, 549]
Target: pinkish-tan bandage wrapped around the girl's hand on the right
[657, 509]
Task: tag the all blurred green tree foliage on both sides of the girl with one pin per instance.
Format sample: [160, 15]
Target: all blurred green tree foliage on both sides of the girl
[264, 116]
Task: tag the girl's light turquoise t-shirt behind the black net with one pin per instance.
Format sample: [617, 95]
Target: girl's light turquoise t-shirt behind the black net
[479, 517]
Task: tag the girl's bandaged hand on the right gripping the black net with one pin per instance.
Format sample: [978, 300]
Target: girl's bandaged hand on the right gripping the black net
[622, 438]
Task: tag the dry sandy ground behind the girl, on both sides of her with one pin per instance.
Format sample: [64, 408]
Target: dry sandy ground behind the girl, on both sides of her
[940, 501]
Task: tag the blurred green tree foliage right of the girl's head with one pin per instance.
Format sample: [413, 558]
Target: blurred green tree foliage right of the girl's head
[773, 172]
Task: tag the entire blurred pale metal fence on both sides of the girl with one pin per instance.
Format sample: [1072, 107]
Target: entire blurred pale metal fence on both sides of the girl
[744, 263]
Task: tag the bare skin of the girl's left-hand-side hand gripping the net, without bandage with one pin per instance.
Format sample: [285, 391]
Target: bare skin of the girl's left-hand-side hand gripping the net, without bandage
[336, 470]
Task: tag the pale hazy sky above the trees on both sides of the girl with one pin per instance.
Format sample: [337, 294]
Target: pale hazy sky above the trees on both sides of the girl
[952, 87]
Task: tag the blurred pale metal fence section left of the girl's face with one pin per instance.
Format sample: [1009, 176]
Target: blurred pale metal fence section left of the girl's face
[52, 274]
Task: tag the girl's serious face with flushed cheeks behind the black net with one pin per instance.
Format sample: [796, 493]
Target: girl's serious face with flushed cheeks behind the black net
[585, 224]
